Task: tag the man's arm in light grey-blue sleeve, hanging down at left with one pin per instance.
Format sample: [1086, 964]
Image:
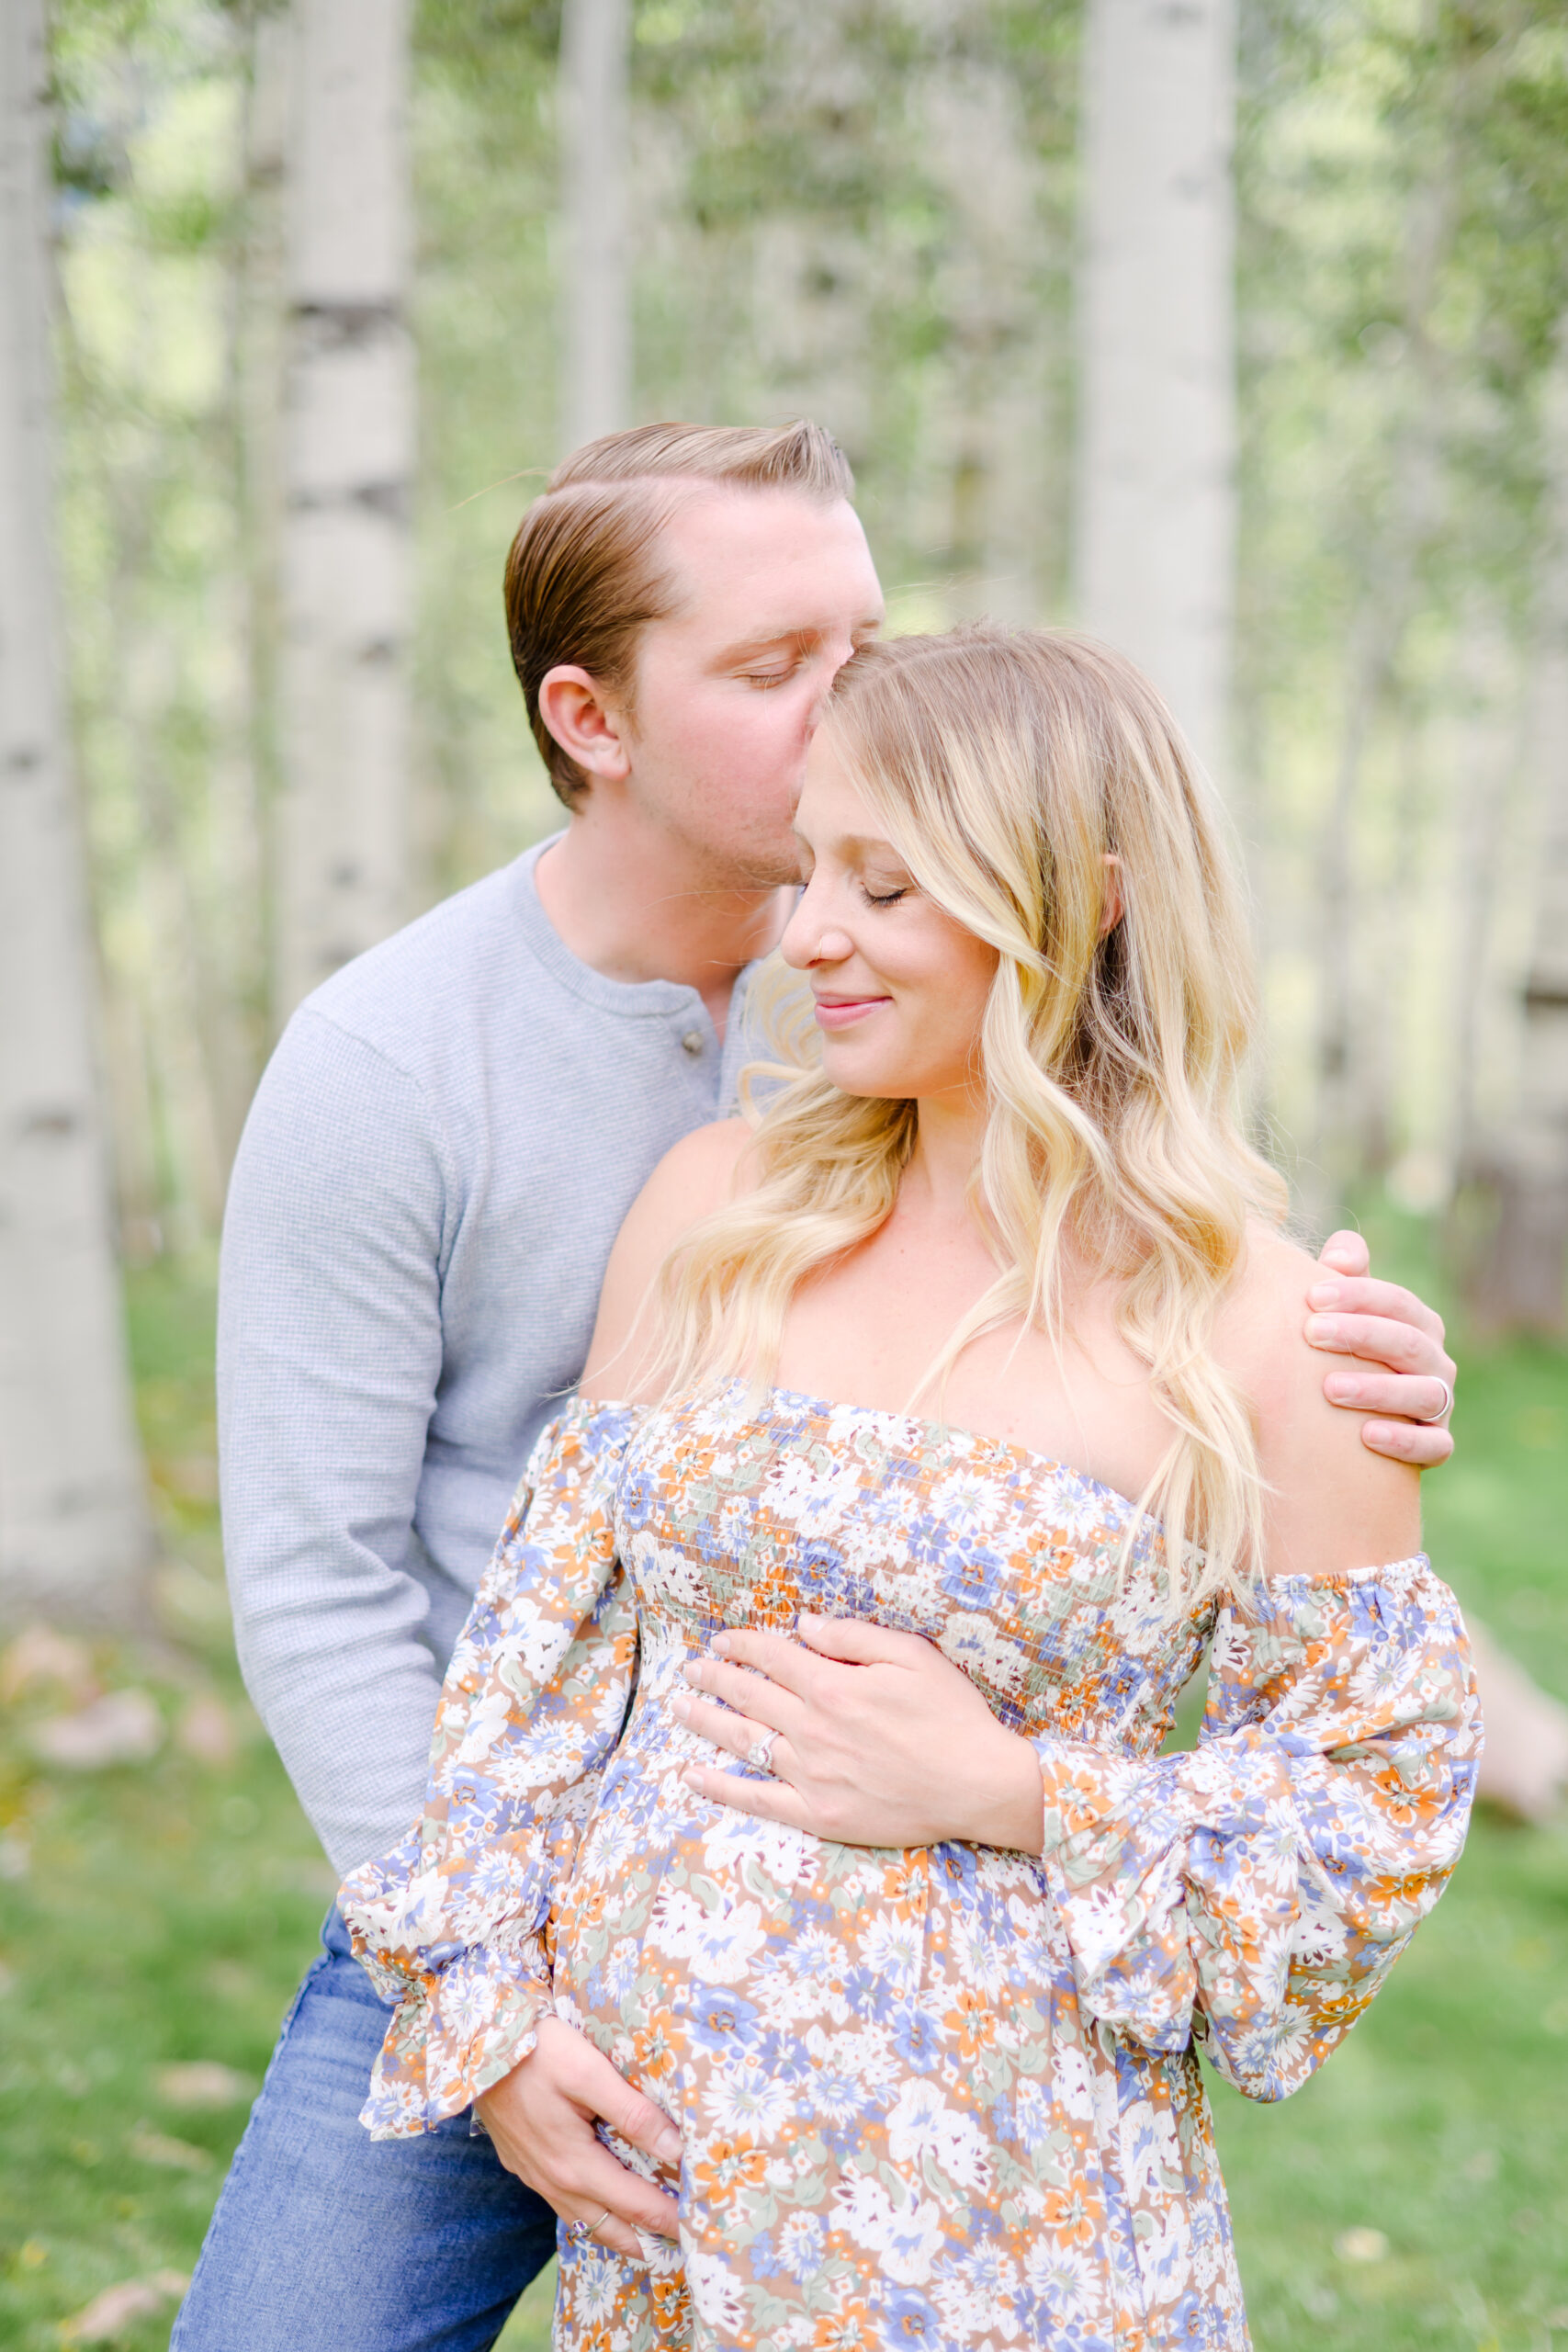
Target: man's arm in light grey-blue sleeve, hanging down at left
[330, 1354]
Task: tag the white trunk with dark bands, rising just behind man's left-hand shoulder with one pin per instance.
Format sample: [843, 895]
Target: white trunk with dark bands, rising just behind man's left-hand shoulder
[349, 469]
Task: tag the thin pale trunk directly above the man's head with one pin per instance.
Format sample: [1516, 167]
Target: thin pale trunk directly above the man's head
[596, 279]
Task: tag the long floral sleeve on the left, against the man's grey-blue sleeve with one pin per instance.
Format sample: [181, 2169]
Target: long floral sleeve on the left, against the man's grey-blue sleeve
[453, 1923]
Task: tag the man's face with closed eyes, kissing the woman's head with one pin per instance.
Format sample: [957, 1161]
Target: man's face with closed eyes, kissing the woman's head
[775, 596]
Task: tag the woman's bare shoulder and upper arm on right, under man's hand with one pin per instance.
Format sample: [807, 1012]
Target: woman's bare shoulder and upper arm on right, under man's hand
[1332, 1504]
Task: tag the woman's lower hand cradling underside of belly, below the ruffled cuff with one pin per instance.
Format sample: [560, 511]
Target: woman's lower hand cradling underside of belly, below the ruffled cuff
[542, 2120]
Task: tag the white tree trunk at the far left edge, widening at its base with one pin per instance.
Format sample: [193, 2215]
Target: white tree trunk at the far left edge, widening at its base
[74, 1525]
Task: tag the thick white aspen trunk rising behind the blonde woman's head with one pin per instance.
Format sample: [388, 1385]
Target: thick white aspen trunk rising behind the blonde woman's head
[1158, 505]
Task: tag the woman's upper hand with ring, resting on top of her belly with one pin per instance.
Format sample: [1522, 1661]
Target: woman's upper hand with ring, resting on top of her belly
[880, 1739]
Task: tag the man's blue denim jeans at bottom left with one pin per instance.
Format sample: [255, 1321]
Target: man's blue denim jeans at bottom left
[333, 2243]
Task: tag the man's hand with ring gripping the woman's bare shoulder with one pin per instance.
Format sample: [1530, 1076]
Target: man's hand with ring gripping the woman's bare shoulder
[1402, 1347]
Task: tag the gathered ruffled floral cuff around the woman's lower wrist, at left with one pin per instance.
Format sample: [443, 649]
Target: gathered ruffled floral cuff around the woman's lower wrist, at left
[469, 2010]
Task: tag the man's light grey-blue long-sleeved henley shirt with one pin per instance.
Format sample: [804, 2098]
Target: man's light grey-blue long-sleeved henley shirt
[424, 1201]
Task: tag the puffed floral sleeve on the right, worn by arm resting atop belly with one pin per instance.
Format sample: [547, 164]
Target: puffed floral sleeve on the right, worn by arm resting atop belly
[1257, 1892]
